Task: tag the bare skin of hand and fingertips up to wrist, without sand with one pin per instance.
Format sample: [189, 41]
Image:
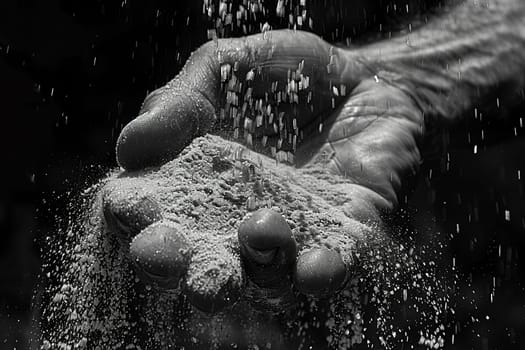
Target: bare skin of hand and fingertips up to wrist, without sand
[369, 137]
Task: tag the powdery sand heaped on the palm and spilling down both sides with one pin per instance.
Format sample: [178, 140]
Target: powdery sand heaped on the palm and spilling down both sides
[97, 301]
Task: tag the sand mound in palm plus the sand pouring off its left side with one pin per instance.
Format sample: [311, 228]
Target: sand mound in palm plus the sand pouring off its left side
[207, 190]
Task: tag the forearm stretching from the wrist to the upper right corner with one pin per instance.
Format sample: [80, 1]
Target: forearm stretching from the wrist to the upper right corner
[458, 60]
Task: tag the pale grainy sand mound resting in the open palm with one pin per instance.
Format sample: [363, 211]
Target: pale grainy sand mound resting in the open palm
[214, 184]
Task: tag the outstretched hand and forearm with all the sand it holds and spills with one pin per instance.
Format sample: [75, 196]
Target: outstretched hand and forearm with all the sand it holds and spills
[351, 121]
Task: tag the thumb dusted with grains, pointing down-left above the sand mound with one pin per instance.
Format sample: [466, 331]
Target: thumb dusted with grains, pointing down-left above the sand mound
[173, 115]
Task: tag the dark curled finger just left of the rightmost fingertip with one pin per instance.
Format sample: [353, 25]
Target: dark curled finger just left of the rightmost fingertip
[268, 247]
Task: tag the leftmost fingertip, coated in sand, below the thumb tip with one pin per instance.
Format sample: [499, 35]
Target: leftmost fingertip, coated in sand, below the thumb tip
[127, 209]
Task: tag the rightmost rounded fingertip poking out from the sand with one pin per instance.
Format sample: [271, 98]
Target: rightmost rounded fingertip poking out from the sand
[319, 272]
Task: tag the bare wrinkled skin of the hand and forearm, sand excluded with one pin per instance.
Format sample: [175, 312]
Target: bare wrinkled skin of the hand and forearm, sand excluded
[395, 90]
